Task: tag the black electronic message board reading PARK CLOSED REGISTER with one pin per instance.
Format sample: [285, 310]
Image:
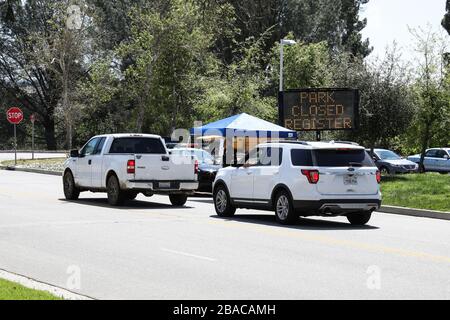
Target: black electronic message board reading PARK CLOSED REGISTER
[319, 109]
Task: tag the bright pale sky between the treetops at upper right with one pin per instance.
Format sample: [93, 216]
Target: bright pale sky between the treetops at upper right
[388, 20]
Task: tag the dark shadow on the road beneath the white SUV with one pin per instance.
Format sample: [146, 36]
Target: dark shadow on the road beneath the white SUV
[302, 224]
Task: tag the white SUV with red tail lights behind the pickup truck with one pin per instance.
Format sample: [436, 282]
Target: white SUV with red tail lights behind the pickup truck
[301, 179]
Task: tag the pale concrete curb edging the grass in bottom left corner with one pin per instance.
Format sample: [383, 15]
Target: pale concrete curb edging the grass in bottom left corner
[42, 286]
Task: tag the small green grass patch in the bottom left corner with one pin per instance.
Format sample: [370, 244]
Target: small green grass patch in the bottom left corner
[13, 291]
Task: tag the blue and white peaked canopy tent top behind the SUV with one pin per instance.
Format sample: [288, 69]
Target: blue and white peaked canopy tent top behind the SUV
[242, 125]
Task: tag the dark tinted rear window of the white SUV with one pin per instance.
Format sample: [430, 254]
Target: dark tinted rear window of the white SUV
[342, 158]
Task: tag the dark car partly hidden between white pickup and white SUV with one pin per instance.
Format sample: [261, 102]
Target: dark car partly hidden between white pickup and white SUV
[207, 167]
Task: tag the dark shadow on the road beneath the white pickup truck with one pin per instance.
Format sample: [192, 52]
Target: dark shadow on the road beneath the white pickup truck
[128, 205]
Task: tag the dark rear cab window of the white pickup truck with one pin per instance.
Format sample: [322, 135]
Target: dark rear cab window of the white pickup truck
[137, 145]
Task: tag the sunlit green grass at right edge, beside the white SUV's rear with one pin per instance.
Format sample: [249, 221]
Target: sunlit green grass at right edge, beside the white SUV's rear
[421, 191]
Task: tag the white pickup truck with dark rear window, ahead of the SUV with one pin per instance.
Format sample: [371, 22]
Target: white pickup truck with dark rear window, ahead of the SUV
[124, 165]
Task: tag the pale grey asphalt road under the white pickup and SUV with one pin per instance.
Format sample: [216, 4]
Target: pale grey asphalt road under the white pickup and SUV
[150, 250]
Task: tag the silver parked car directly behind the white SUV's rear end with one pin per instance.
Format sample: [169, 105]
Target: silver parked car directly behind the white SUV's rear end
[391, 163]
